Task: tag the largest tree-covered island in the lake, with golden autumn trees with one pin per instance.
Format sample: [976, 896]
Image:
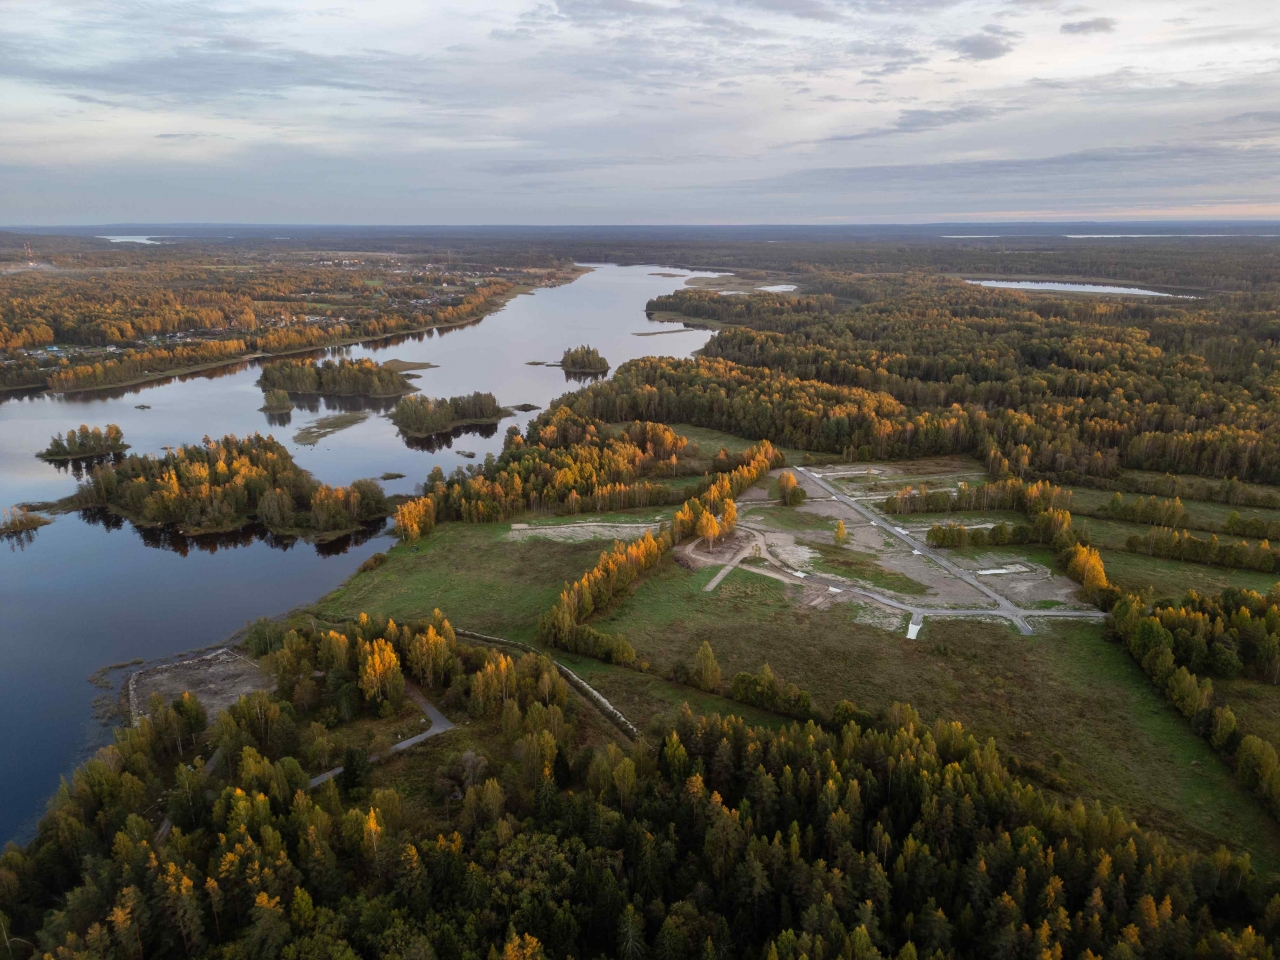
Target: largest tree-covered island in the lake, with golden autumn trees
[222, 484]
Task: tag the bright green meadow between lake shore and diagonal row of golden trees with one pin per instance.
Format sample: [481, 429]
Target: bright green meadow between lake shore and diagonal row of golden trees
[472, 572]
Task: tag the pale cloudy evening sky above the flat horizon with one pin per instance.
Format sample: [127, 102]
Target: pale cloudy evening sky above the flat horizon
[637, 112]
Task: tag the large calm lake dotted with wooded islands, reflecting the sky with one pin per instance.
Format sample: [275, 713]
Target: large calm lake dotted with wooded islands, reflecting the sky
[88, 592]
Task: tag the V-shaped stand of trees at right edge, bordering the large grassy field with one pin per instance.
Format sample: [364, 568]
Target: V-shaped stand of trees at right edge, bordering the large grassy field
[1215, 633]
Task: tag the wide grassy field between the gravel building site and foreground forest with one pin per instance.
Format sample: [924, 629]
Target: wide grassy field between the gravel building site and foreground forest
[1064, 702]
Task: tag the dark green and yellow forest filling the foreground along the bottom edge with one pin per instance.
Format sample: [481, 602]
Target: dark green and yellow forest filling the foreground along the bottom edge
[879, 839]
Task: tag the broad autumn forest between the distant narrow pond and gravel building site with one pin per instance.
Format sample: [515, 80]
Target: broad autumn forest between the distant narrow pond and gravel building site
[1072, 388]
